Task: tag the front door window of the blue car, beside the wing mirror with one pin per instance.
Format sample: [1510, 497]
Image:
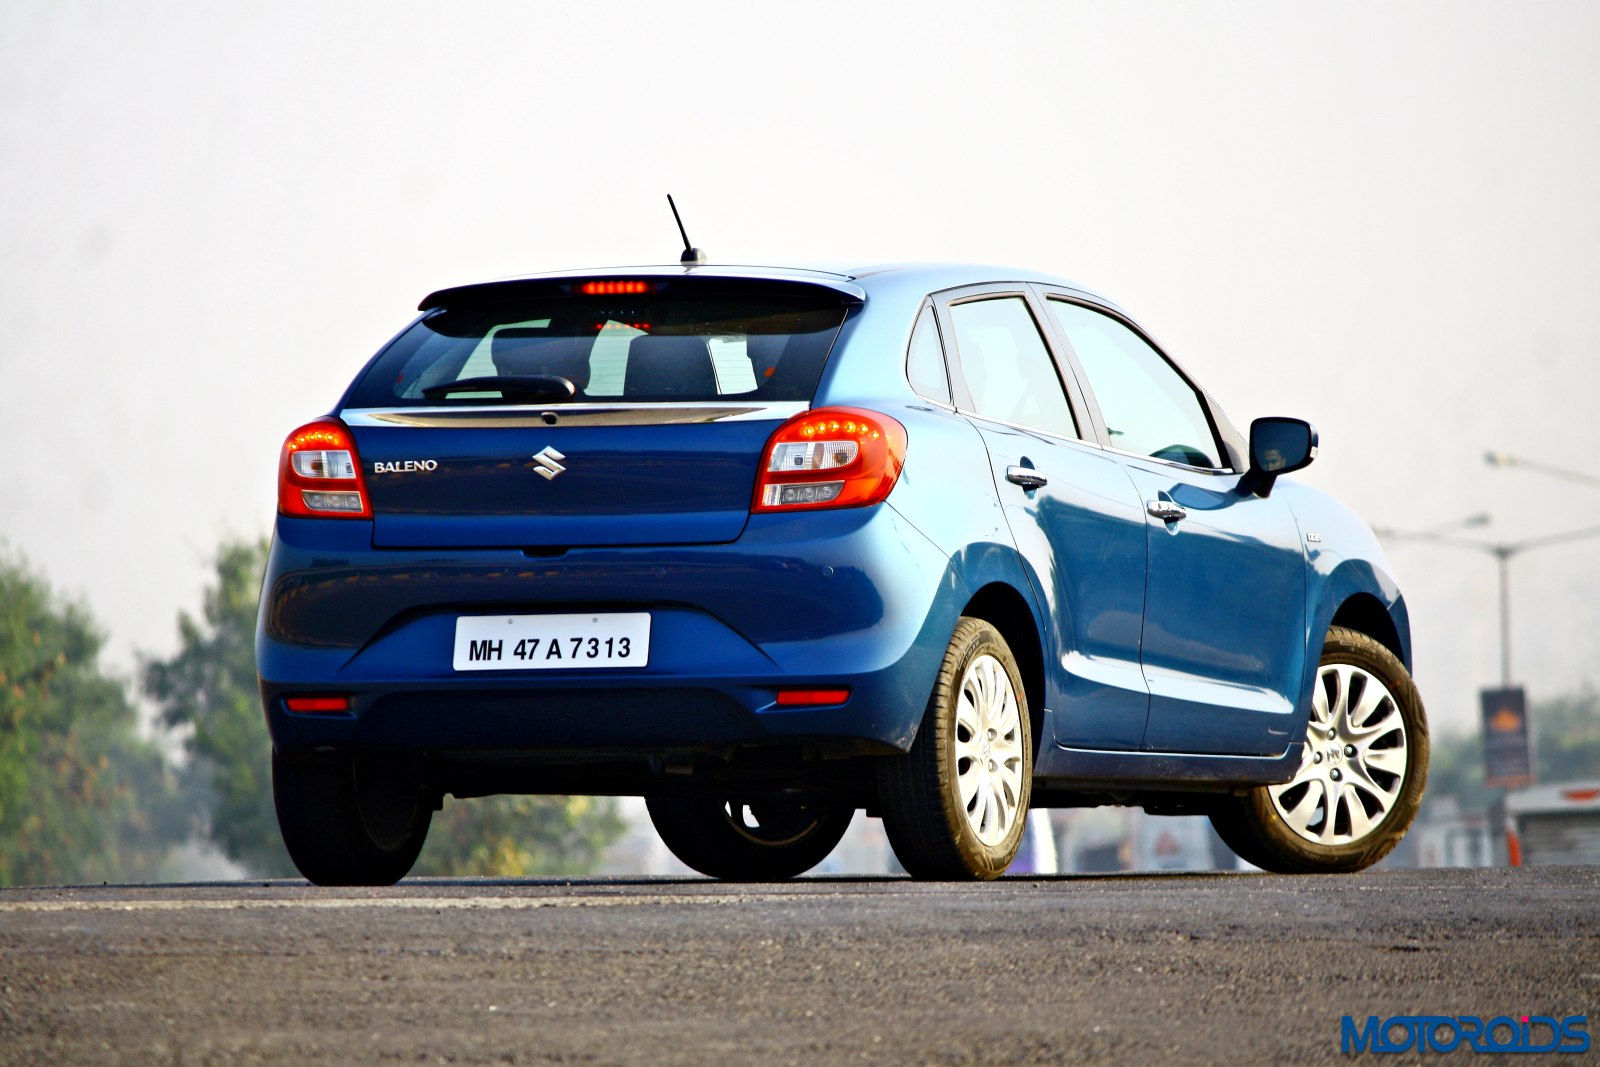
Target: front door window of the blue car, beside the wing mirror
[1150, 409]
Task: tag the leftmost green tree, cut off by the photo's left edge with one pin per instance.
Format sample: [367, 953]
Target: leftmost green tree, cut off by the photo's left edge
[82, 796]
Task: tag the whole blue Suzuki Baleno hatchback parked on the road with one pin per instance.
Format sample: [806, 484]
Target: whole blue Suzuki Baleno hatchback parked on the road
[769, 546]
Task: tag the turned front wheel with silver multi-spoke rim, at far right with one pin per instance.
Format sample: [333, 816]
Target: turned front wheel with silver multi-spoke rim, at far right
[1361, 777]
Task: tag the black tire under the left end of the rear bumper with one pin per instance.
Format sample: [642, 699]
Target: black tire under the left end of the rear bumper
[351, 821]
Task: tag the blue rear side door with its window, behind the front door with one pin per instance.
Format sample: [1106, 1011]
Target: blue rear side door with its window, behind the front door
[1071, 510]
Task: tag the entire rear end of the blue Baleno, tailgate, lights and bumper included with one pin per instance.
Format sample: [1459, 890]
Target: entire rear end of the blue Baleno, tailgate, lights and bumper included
[591, 535]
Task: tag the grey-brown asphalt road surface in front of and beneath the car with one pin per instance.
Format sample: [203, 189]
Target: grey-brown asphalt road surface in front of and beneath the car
[1130, 969]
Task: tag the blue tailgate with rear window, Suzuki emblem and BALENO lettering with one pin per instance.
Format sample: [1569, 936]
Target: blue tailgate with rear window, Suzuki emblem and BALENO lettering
[586, 412]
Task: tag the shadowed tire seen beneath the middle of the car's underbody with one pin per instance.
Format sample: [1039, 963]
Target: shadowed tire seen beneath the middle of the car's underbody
[759, 842]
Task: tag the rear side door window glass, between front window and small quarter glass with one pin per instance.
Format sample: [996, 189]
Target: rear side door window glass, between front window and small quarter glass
[1007, 367]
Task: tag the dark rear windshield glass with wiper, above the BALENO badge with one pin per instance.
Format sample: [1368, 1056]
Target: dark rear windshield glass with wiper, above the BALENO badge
[658, 346]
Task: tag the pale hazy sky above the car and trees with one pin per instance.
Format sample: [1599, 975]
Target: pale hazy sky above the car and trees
[1380, 217]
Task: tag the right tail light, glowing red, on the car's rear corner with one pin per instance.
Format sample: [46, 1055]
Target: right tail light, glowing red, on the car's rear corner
[831, 458]
